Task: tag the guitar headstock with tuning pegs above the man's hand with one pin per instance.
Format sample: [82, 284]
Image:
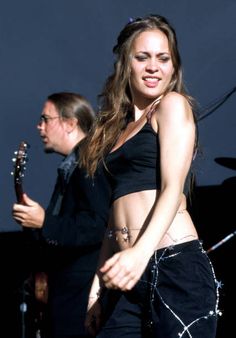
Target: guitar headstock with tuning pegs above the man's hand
[20, 159]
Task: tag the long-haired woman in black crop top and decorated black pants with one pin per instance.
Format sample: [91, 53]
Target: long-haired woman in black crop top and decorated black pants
[160, 280]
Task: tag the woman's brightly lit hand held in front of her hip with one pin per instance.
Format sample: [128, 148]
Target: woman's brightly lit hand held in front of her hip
[124, 269]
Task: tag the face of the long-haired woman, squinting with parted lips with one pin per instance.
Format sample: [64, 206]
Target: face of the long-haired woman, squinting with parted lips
[151, 66]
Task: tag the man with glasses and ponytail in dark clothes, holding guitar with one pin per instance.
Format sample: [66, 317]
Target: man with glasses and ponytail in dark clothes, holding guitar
[73, 225]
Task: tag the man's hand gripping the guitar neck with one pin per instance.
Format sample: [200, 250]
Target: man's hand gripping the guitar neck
[29, 214]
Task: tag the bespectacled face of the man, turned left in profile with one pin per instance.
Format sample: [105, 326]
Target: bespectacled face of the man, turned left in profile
[51, 128]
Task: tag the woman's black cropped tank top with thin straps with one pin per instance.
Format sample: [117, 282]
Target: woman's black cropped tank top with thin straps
[135, 166]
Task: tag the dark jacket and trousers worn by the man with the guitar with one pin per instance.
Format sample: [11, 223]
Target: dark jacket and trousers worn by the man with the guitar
[72, 234]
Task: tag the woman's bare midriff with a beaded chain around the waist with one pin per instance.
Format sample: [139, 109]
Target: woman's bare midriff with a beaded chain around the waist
[131, 214]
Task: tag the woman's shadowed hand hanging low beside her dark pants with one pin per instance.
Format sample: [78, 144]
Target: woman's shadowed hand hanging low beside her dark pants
[93, 317]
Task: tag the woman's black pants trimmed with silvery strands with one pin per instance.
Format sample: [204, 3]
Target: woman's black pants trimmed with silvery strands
[176, 297]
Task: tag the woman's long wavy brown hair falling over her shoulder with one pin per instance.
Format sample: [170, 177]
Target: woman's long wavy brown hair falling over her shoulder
[115, 99]
